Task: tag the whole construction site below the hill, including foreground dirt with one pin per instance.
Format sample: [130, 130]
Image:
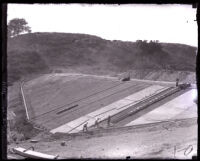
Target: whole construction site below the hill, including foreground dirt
[89, 116]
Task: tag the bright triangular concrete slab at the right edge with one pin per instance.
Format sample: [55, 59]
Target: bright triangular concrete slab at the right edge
[182, 106]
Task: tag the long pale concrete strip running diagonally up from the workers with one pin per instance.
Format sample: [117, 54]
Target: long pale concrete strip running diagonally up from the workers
[113, 109]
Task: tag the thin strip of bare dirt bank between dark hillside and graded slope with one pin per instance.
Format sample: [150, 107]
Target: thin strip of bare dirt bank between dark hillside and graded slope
[146, 74]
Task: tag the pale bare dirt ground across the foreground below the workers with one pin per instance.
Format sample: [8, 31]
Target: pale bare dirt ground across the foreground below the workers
[161, 140]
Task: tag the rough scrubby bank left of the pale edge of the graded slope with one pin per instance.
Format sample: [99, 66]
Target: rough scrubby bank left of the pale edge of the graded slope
[20, 129]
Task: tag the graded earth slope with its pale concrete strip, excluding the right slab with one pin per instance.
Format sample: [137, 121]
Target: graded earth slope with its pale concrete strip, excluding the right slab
[66, 104]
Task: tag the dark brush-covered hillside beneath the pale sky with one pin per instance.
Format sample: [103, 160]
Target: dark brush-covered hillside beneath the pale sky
[38, 53]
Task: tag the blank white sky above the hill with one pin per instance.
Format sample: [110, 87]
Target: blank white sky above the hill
[128, 22]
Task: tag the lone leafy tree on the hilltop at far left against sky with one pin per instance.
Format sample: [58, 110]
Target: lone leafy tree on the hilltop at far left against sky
[17, 26]
